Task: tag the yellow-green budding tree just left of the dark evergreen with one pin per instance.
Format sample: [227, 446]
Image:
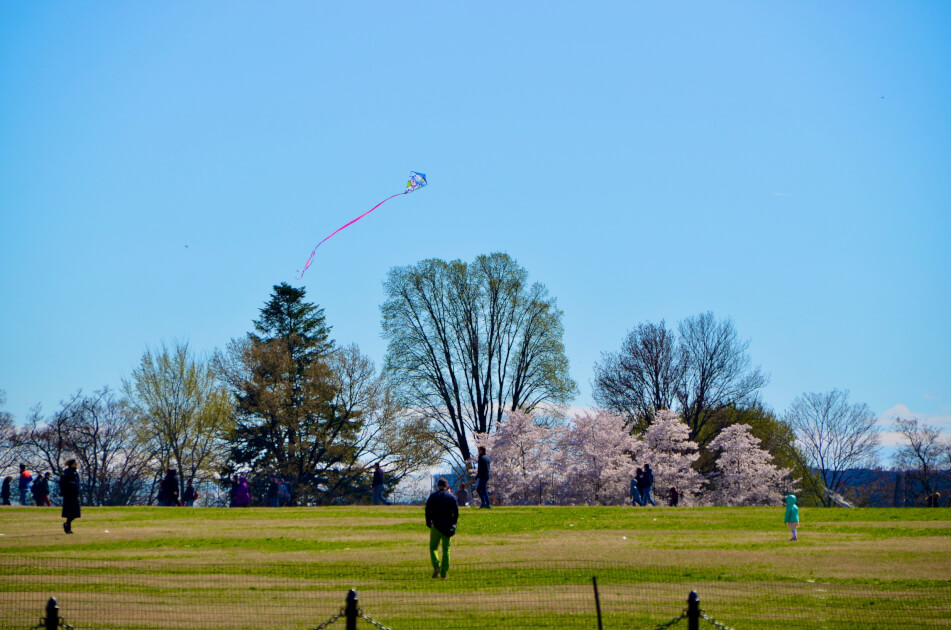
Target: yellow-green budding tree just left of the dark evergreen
[184, 411]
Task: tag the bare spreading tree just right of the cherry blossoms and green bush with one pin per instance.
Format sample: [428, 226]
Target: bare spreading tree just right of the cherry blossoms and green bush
[835, 437]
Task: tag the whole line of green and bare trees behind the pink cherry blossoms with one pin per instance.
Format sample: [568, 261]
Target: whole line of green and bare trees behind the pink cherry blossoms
[471, 347]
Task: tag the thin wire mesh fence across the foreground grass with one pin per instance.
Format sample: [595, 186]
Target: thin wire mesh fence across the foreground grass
[169, 592]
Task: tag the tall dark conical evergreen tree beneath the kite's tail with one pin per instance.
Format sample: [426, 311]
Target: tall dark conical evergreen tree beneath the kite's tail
[288, 421]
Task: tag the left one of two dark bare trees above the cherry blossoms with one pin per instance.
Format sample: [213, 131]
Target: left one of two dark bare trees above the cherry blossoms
[643, 377]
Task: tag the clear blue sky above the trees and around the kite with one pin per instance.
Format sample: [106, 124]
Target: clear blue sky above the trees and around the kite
[784, 164]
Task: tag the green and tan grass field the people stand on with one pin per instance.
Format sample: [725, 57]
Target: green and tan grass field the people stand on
[512, 567]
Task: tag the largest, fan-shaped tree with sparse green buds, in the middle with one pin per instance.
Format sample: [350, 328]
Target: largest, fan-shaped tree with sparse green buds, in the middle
[466, 342]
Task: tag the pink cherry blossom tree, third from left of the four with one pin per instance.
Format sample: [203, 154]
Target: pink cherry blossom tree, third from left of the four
[667, 447]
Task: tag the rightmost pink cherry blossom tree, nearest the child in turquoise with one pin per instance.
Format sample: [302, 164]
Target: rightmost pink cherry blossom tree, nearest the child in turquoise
[744, 473]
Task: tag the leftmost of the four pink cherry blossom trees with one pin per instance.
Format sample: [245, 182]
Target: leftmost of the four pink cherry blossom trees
[522, 452]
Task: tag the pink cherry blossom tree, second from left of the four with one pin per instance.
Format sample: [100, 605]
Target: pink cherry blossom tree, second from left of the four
[595, 460]
